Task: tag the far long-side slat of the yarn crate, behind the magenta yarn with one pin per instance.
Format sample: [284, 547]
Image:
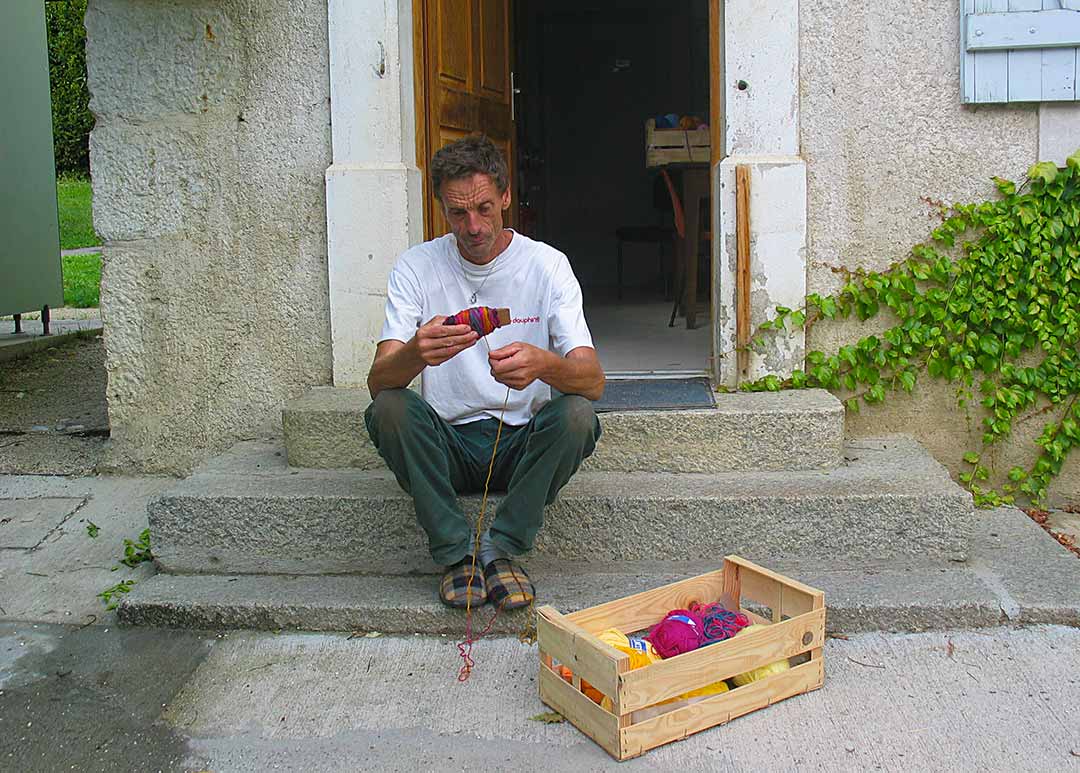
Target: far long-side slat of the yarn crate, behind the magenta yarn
[644, 611]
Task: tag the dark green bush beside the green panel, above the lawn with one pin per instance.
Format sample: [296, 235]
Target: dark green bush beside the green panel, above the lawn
[67, 75]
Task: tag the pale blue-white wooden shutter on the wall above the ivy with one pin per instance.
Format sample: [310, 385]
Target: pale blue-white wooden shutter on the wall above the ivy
[1020, 50]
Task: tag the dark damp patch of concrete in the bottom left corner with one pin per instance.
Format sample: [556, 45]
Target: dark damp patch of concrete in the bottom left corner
[87, 699]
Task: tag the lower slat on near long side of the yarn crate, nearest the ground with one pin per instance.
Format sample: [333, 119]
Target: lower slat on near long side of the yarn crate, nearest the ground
[680, 724]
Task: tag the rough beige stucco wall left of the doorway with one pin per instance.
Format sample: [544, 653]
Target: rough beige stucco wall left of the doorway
[209, 159]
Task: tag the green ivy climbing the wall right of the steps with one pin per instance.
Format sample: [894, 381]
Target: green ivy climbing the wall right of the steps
[995, 296]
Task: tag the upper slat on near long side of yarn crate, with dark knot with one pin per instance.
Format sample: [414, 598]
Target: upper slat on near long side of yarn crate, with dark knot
[659, 682]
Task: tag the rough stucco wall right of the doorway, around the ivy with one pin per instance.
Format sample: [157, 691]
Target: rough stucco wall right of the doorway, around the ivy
[883, 127]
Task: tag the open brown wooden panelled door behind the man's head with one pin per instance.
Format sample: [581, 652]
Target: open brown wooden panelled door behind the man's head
[467, 55]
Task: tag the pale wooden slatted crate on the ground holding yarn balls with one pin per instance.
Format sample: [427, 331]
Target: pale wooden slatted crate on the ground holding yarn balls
[796, 631]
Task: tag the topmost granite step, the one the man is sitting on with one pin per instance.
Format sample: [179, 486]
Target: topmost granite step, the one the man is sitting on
[794, 430]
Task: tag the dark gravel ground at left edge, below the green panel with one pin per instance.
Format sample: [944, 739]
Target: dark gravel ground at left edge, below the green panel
[53, 417]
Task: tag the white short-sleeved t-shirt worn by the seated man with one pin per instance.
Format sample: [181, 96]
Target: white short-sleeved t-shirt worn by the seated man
[534, 280]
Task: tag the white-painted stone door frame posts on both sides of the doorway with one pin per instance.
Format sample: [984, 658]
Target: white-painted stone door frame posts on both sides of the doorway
[375, 192]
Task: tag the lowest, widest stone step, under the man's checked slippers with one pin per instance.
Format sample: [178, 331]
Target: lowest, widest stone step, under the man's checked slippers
[1016, 575]
